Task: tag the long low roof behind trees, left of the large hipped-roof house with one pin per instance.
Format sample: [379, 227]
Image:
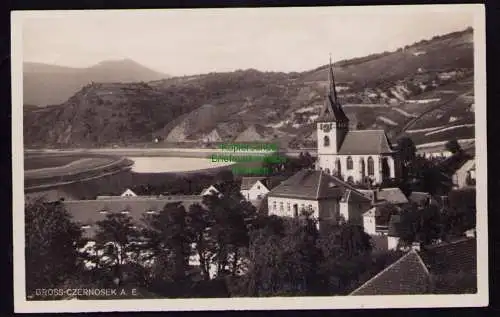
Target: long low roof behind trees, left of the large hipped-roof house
[88, 212]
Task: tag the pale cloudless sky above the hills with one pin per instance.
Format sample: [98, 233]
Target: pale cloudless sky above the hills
[185, 42]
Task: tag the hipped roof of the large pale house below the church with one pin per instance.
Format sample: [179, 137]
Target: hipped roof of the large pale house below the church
[309, 184]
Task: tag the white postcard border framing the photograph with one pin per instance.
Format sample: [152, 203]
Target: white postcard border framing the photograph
[277, 303]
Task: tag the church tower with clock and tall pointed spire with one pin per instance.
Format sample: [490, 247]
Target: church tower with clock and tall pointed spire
[333, 124]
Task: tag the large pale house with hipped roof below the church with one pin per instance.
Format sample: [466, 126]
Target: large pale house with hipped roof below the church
[311, 190]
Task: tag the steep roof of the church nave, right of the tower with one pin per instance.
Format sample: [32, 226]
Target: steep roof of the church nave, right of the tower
[365, 142]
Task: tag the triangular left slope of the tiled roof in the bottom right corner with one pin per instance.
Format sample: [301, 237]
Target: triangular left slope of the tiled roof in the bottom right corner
[406, 276]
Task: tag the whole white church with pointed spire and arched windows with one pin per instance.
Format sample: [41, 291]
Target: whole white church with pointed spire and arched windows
[353, 155]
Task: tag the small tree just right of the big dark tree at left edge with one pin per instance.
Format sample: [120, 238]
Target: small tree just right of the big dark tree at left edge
[116, 238]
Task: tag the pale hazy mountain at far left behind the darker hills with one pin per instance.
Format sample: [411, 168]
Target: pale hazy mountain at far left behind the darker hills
[45, 84]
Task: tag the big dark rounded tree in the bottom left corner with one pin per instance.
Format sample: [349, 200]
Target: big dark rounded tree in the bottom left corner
[51, 245]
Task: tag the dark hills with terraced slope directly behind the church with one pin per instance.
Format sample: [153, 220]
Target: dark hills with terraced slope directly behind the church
[424, 90]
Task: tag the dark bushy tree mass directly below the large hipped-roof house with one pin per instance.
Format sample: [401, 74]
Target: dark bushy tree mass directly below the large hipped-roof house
[284, 262]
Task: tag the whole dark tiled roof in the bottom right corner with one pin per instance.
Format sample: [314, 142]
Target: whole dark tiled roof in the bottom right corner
[425, 271]
